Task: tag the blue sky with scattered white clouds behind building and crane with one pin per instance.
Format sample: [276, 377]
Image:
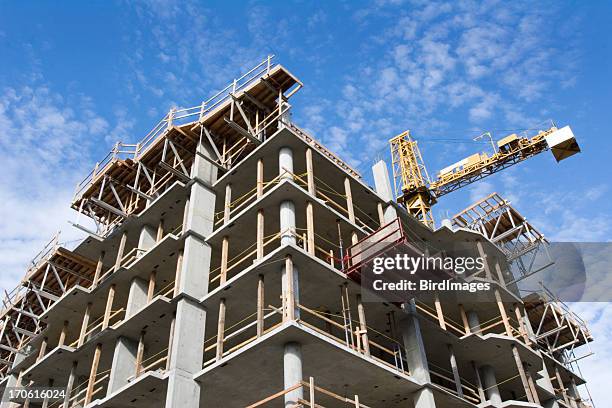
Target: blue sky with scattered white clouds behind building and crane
[77, 77]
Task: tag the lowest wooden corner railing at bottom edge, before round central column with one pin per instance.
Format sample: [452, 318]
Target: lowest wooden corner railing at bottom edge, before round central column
[314, 397]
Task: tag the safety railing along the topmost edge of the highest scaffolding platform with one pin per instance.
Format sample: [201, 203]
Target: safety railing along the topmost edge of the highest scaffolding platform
[172, 118]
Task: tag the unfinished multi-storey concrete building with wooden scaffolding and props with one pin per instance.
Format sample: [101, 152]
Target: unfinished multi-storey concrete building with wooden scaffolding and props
[221, 269]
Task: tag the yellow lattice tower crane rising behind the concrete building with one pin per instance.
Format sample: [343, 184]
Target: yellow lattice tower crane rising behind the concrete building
[418, 193]
